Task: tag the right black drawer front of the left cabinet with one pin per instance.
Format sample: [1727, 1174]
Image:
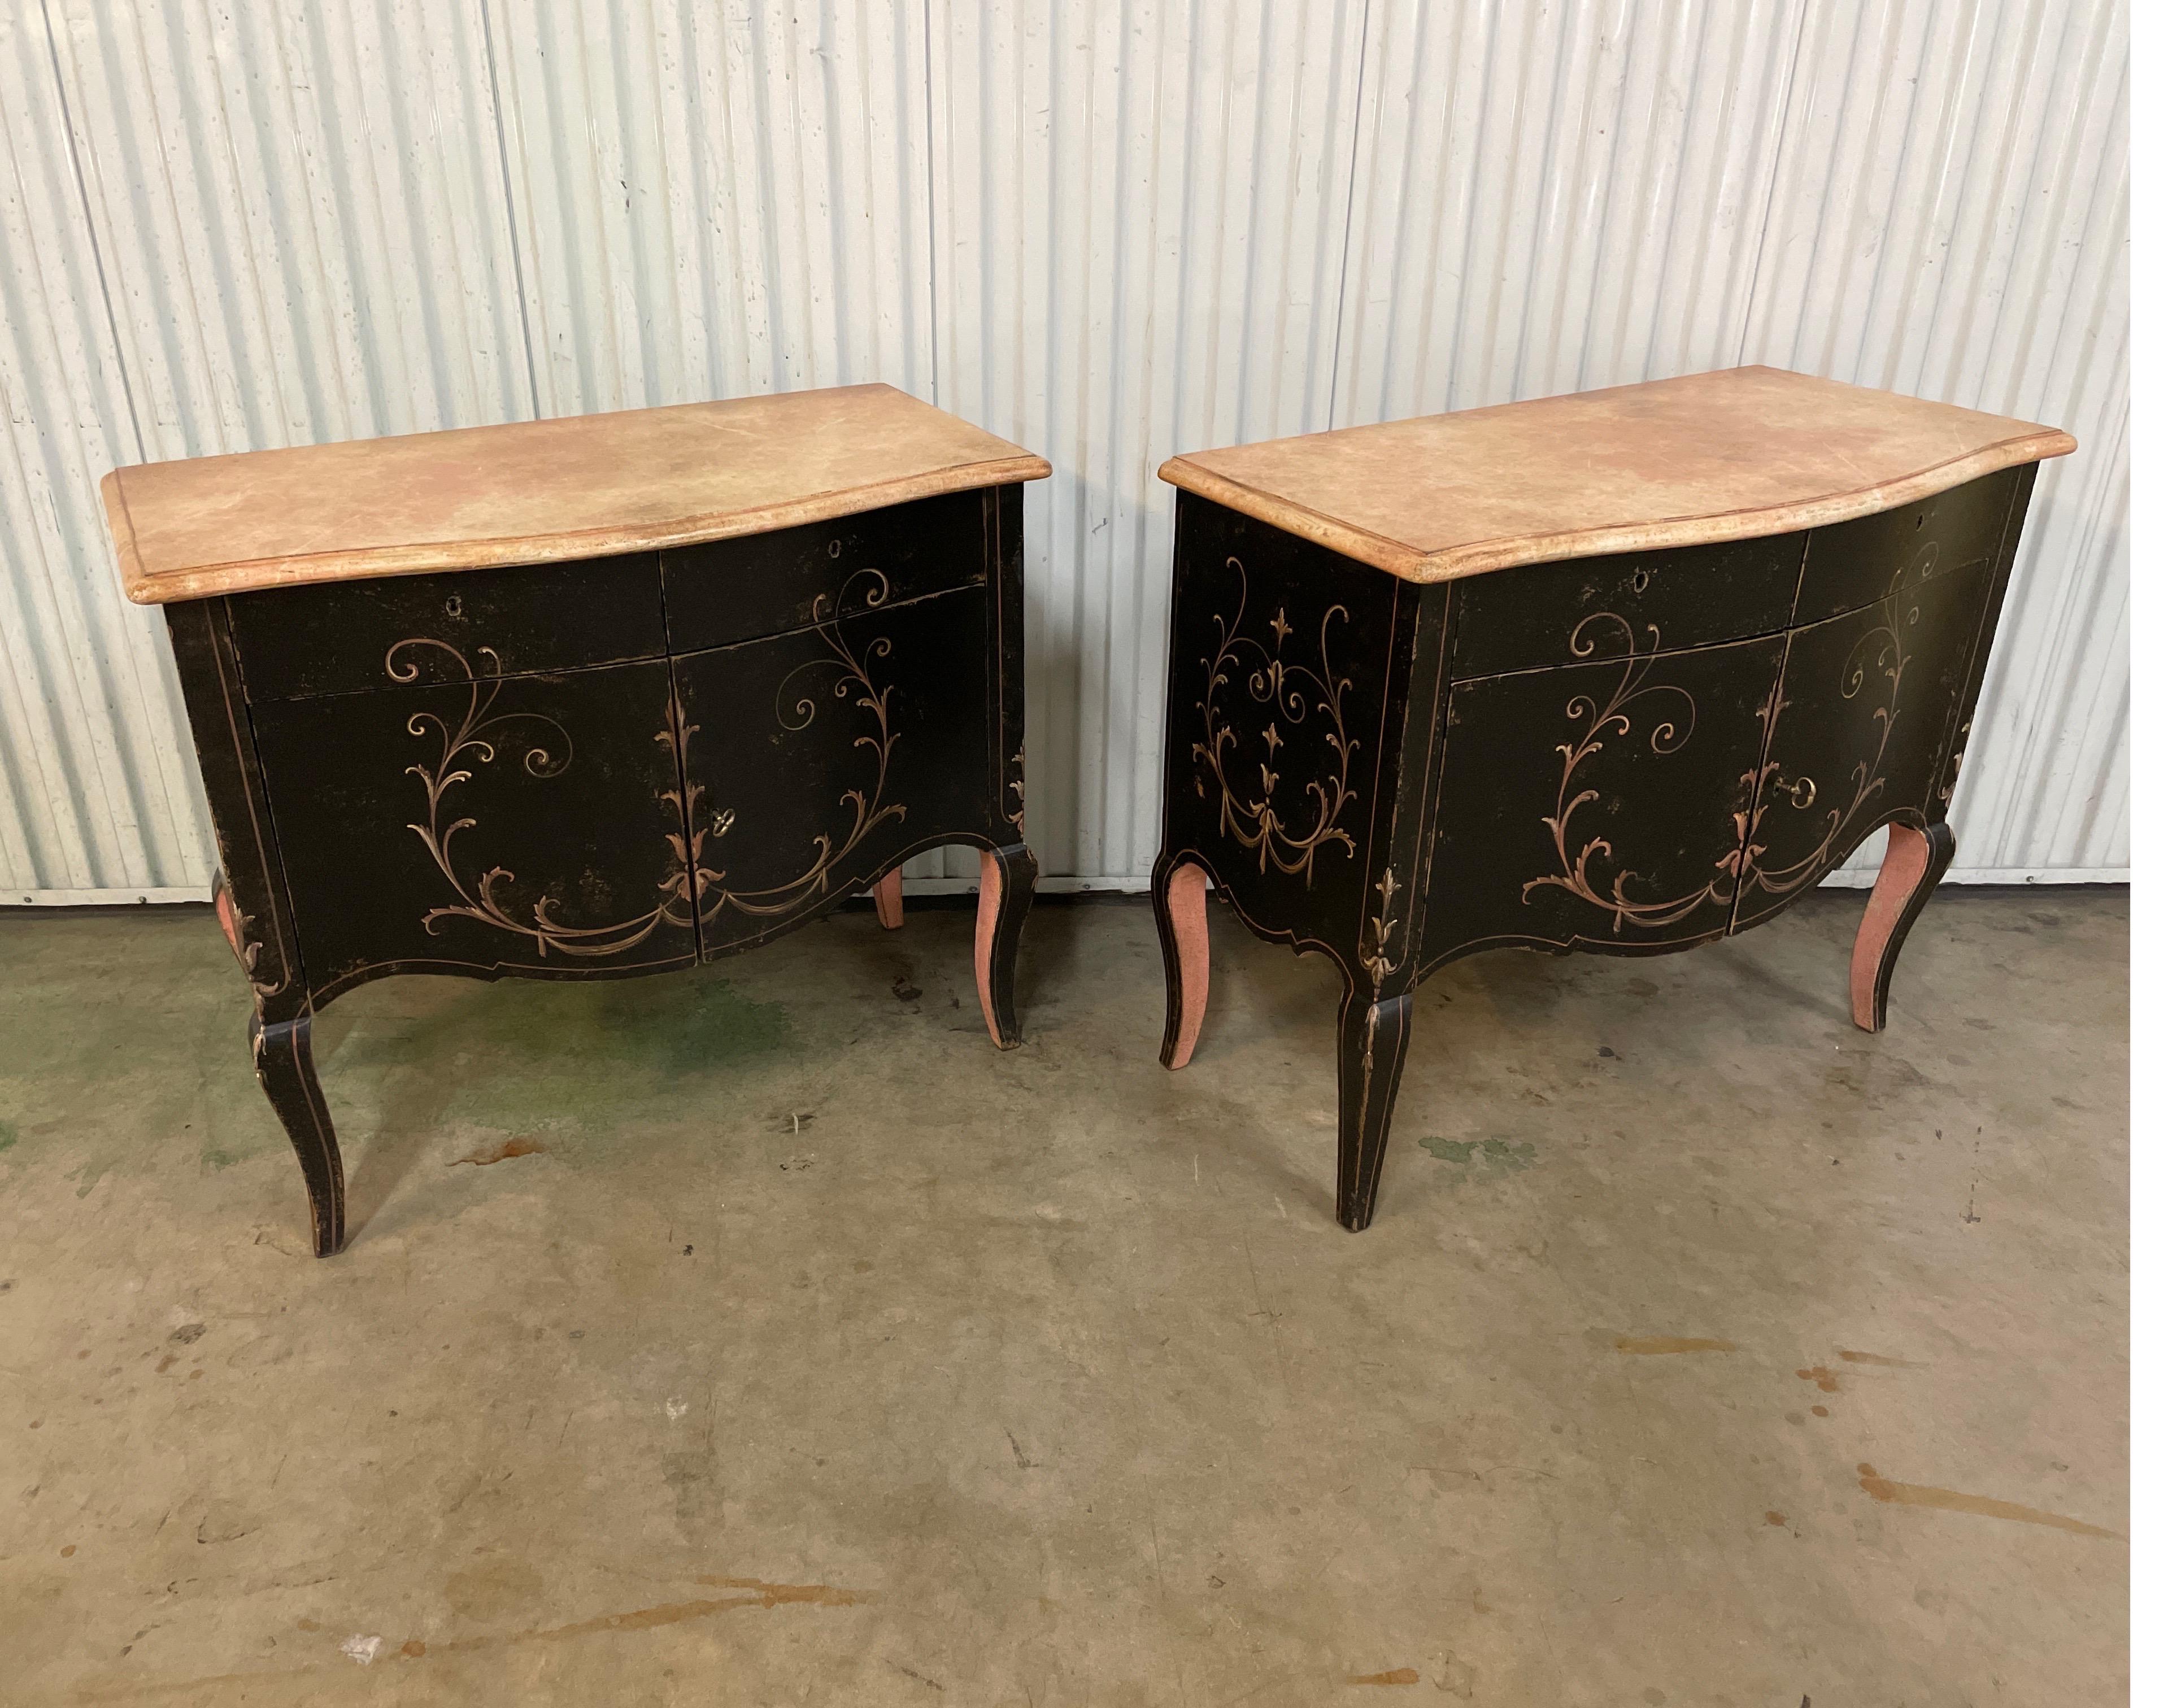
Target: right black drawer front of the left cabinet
[740, 590]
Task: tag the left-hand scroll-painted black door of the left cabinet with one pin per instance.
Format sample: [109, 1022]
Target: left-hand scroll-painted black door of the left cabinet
[490, 826]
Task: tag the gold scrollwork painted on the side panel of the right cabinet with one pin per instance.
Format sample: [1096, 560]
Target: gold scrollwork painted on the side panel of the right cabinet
[1292, 697]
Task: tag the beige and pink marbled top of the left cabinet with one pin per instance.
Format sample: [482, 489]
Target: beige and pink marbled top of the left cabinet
[540, 492]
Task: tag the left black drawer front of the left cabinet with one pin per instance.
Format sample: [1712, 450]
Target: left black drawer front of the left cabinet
[549, 616]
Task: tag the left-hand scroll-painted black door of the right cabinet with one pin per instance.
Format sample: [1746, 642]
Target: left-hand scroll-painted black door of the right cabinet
[1600, 804]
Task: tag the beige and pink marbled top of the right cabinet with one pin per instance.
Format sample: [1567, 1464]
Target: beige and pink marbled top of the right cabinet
[1709, 457]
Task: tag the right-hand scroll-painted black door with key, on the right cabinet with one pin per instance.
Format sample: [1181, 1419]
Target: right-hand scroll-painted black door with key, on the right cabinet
[1861, 730]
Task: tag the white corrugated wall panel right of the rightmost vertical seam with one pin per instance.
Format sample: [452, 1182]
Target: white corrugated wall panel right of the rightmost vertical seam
[1951, 219]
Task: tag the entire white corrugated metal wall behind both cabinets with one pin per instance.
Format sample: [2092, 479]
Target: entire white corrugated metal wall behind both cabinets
[1105, 230]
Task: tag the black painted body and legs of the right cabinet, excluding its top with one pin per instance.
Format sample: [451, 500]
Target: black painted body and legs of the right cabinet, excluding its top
[1626, 754]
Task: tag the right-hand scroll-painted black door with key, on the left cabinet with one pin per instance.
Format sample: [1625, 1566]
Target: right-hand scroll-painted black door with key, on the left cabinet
[819, 760]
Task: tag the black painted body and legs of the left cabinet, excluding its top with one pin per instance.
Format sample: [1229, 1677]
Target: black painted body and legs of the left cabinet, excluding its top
[610, 767]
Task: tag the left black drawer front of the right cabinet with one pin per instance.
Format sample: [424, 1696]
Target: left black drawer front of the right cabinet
[1689, 597]
